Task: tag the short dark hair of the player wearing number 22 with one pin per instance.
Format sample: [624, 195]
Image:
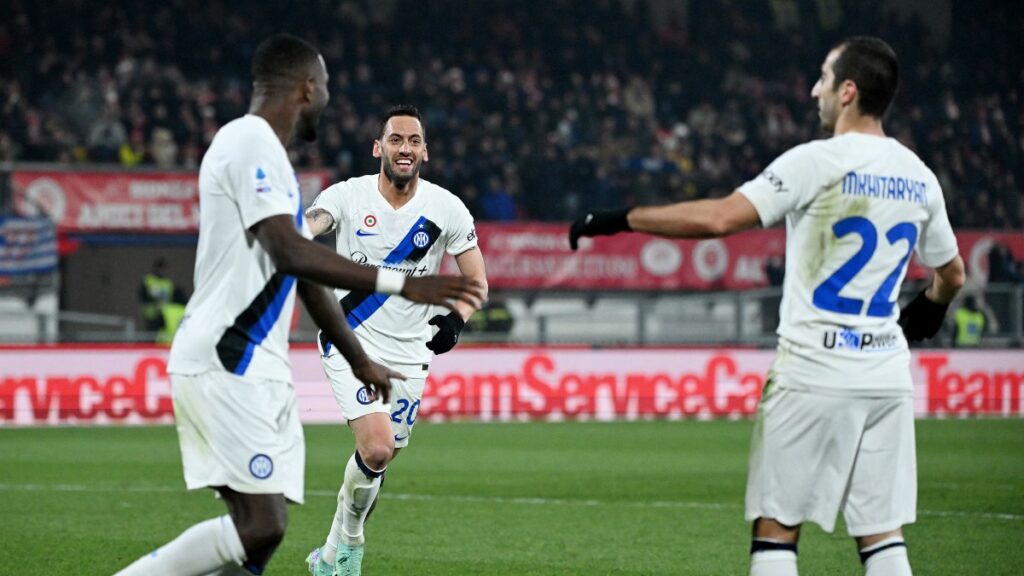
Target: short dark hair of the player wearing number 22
[871, 64]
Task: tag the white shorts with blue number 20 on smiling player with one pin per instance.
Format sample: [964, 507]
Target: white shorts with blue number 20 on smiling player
[355, 402]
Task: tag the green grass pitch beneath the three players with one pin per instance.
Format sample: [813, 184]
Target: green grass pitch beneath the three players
[654, 498]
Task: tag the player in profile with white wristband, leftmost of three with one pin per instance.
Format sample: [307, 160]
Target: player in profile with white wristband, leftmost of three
[232, 382]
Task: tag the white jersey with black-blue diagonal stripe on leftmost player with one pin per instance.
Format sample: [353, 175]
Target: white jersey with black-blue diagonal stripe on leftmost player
[239, 318]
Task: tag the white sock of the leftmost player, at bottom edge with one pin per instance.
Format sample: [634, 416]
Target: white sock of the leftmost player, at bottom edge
[201, 550]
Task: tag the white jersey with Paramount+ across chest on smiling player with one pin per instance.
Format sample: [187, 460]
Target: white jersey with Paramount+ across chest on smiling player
[413, 240]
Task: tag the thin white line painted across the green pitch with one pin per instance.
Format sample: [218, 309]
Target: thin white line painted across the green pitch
[482, 500]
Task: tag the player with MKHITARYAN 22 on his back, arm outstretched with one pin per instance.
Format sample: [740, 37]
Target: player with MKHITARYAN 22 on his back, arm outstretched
[835, 427]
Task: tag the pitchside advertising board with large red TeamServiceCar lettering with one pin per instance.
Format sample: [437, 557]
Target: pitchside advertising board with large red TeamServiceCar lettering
[102, 386]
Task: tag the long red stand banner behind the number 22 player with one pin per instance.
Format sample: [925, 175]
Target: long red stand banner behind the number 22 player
[538, 257]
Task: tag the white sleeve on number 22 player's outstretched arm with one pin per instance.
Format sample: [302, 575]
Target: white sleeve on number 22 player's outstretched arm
[784, 186]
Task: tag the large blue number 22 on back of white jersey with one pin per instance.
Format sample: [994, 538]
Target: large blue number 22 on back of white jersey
[827, 295]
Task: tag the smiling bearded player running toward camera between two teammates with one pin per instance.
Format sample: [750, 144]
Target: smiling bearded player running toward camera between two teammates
[399, 222]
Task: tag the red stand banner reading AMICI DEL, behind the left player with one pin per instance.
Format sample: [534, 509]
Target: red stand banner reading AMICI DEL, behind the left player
[127, 201]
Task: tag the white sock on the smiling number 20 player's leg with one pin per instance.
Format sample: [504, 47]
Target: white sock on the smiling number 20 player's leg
[357, 495]
